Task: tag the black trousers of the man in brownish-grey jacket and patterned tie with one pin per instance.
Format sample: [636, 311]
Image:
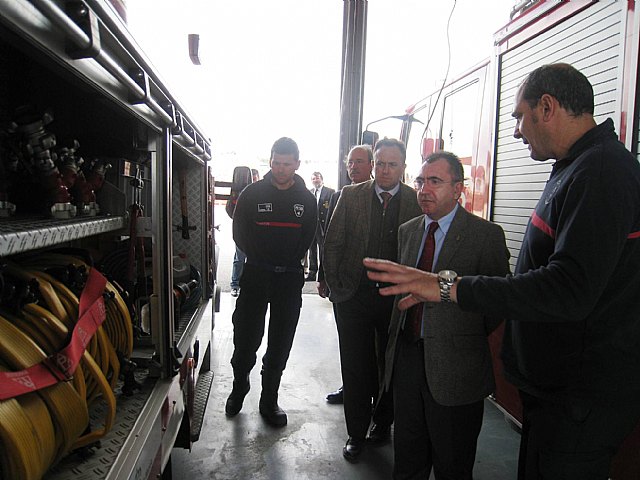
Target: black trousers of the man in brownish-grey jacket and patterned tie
[363, 323]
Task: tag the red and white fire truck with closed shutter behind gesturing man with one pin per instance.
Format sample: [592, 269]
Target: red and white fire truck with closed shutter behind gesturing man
[471, 116]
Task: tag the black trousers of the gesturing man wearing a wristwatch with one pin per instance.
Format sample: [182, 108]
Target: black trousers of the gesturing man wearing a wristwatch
[573, 440]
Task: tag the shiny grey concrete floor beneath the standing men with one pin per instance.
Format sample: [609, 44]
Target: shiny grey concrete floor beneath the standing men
[310, 446]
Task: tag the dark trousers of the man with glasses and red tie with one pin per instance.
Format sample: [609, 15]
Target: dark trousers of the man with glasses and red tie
[426, 434]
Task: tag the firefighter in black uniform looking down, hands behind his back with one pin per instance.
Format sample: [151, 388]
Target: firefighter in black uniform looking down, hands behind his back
[274, 224]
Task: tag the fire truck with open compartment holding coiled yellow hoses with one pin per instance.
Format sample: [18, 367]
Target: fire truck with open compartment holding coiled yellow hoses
[107, 254]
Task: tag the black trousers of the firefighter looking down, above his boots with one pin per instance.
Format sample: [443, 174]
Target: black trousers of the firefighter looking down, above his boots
[259, 288]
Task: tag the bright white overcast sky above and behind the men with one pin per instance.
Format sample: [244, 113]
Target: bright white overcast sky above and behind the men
[272, 68]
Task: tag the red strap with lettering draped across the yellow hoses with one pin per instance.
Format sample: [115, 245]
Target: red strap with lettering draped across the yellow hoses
[61, 365]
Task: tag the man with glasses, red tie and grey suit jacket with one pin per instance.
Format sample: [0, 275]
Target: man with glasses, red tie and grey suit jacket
[438, 359]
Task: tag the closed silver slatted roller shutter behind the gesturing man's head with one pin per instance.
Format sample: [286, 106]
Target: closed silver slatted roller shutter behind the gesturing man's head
[591, 41]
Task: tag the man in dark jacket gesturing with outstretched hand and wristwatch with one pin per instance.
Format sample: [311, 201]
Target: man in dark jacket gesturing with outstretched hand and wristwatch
[572, 334]
